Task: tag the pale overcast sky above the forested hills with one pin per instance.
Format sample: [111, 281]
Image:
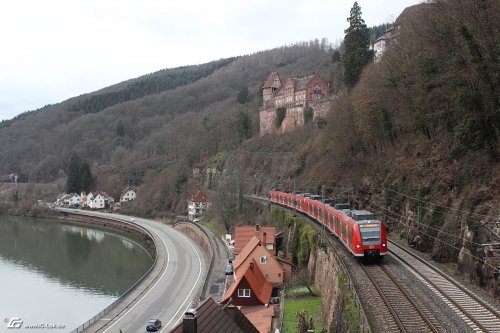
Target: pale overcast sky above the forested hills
[52, 50]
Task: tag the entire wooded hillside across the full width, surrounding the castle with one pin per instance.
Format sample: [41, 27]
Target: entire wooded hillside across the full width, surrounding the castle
[416, 140]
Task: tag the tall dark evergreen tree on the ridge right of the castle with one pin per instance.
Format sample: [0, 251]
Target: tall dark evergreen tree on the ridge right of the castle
[357, 53]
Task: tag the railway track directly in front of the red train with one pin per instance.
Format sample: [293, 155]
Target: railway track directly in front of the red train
[407, 315]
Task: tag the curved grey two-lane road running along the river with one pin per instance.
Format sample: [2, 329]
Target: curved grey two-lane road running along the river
[181, 273]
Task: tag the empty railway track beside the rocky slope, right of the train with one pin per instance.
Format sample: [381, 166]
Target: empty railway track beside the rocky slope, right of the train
[479, 315]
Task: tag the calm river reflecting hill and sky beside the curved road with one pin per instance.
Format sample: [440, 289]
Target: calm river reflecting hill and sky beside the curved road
[55, 276]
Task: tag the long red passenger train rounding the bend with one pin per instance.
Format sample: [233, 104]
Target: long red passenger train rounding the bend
[358, 230]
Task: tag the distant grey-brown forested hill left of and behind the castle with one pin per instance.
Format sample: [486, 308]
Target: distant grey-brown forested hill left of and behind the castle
[170, 119]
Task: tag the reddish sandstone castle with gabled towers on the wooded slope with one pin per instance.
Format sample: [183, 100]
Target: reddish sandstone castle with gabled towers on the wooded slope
[296, 95]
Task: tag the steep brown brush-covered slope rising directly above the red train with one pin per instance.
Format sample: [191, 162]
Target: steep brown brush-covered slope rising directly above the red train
[416, 141]
